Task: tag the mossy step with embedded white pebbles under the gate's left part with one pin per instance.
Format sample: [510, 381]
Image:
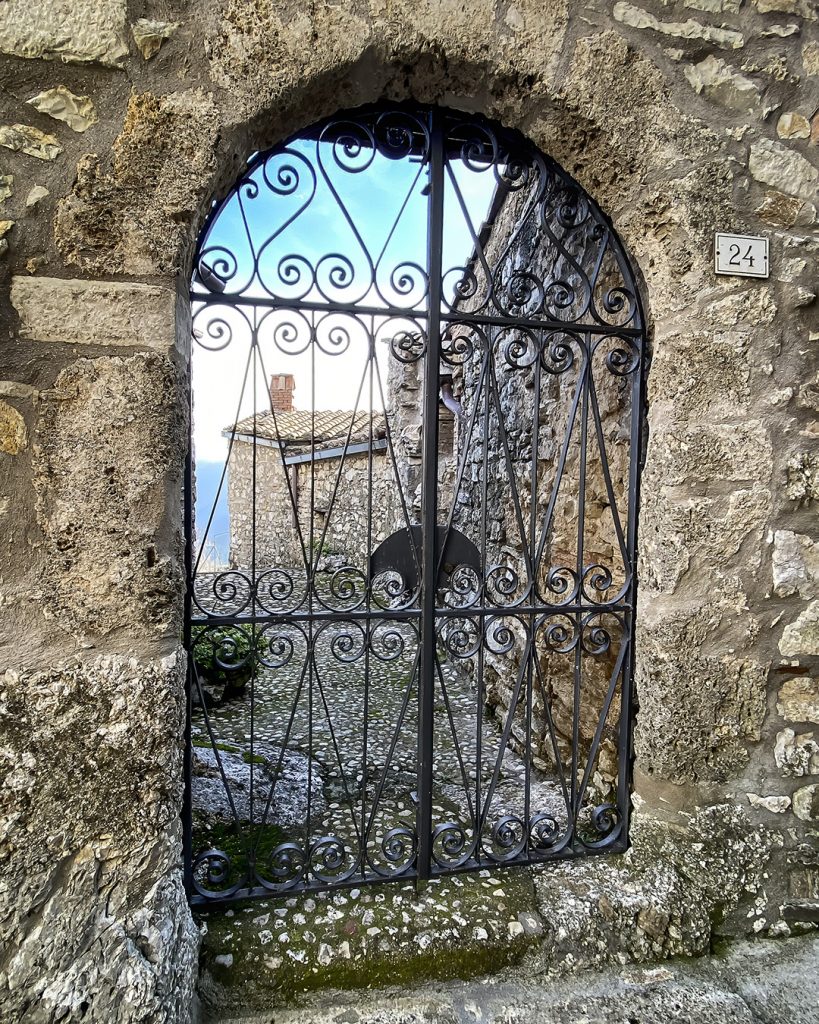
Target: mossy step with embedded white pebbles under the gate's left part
[272, 953]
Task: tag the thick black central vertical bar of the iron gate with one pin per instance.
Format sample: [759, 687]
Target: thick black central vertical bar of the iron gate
[429, 502]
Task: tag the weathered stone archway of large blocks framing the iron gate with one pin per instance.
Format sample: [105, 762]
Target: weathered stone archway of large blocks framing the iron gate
[104, 486]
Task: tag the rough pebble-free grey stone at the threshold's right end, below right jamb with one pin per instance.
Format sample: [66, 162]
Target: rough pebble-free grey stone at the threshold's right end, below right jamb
[660, 900]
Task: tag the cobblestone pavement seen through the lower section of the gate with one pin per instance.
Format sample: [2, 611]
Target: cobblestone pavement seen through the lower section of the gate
[339, 736]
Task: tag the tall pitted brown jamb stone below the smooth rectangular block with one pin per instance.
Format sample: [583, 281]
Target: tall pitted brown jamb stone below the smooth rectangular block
[106, 453]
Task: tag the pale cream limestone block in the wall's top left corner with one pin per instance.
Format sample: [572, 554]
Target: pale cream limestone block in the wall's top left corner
[72, 31]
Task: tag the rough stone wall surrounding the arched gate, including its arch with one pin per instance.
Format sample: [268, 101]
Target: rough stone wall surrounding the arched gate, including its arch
[120, 123]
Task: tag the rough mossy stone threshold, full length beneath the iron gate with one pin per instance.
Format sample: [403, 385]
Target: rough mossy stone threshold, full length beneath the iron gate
[668, 897]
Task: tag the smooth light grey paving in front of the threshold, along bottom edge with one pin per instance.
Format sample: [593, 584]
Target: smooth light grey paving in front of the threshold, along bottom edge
[763, 983]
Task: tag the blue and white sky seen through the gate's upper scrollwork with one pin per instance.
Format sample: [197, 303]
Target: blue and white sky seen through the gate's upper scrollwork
[381, 209]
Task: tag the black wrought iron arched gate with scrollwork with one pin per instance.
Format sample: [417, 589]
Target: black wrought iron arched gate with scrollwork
[416, 657]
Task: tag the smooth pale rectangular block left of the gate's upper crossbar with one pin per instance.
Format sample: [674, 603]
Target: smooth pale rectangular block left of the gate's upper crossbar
[95, 313]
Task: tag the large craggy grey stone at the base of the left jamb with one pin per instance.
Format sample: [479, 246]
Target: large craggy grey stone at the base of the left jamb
[64, 945]
